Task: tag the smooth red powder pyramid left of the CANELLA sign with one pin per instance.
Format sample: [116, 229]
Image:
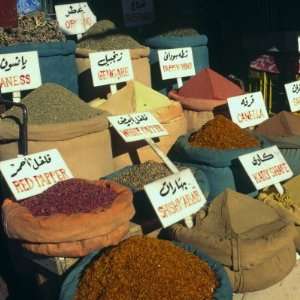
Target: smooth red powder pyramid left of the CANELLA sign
[209, 84]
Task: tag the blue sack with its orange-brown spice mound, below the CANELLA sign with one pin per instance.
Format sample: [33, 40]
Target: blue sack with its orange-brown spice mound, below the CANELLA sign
[215, 148]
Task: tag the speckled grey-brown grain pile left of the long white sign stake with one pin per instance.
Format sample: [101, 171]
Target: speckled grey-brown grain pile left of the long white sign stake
[137, 176]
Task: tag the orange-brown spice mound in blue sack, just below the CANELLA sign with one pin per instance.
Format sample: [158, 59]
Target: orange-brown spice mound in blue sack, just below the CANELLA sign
[221, 133]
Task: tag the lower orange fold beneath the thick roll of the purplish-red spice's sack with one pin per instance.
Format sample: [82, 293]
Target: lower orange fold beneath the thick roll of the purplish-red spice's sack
[81, 247]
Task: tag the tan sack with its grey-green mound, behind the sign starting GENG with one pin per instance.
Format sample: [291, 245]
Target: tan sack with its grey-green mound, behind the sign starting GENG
[104, 36]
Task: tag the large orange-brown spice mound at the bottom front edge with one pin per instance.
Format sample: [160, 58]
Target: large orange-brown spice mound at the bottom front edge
[147, 269]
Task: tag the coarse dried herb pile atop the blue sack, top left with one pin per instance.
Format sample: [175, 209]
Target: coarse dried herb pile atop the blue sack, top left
[33, 28]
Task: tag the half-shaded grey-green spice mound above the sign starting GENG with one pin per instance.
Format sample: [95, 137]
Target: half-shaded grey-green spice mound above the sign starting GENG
[104, 36]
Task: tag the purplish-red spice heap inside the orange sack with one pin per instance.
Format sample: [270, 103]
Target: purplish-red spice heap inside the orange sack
[69, 197]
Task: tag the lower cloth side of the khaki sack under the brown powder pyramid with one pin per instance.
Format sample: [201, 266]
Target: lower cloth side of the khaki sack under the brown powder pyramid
[262, 276]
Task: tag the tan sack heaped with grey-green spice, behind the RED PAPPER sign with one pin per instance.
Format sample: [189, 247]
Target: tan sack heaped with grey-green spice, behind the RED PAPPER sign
[57, 118]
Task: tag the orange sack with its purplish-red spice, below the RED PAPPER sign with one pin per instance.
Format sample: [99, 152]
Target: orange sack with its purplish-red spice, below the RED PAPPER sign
[70, 219]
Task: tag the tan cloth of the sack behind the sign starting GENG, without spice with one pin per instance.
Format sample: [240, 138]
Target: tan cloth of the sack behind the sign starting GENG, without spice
[87, 91]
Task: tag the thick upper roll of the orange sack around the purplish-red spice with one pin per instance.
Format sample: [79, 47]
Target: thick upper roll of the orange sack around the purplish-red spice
[20, 224]
